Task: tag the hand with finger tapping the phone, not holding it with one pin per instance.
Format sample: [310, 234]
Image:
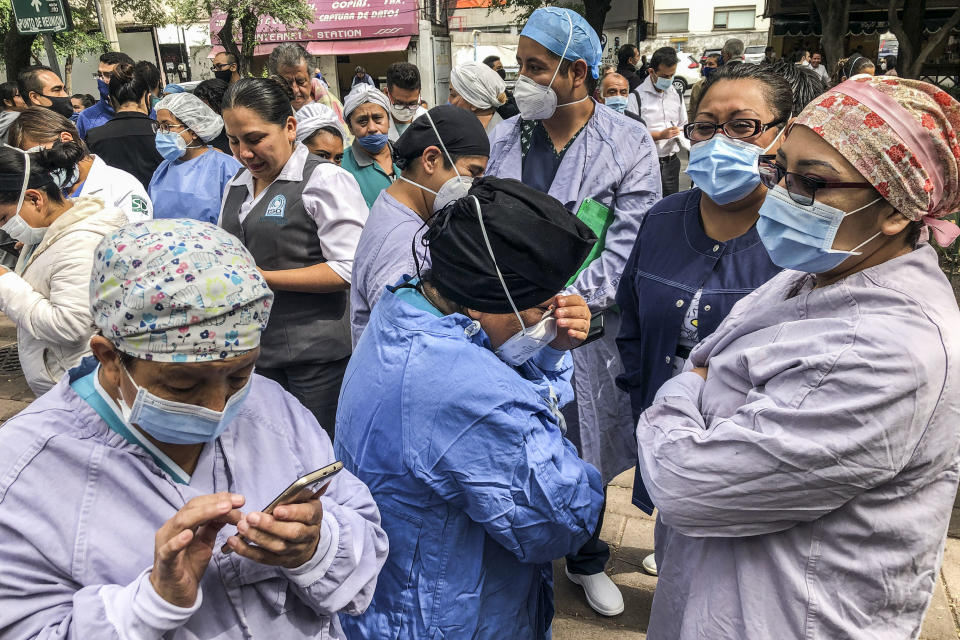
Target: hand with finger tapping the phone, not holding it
[184, 545]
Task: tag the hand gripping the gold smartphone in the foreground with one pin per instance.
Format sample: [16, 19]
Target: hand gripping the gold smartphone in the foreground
[288, 538]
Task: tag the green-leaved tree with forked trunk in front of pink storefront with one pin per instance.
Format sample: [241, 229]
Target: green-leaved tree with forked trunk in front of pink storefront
[238, 35]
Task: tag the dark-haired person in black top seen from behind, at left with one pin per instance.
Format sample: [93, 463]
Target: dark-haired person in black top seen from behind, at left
[127, 140]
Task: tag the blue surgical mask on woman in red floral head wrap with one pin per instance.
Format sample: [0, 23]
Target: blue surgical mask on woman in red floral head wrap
[801, 237]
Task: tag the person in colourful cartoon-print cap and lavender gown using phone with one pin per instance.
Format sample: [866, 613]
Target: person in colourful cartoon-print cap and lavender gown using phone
[157, 452]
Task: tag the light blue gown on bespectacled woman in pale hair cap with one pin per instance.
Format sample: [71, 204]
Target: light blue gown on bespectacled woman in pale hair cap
[192, 189]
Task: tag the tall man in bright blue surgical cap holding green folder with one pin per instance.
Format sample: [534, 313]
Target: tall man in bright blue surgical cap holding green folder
[603, 167]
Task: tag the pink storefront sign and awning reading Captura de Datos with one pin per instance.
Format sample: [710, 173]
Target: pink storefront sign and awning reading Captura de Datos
[337, 20]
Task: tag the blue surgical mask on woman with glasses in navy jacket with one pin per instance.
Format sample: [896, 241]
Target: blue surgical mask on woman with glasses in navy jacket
[725, 169]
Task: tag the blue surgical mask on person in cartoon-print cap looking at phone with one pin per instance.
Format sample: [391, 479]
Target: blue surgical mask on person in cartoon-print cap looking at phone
[178, 422]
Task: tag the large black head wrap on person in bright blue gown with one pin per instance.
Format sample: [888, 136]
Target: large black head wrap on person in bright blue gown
[538, 245]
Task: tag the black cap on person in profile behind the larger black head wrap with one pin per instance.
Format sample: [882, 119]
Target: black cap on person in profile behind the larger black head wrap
[460, 130]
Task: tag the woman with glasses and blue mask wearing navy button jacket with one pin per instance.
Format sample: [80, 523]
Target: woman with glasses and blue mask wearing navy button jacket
[698, 251]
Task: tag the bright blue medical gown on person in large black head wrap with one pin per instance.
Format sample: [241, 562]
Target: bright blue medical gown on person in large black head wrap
[478, 489]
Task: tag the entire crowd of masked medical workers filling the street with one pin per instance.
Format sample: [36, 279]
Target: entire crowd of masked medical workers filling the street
[485, 317]
